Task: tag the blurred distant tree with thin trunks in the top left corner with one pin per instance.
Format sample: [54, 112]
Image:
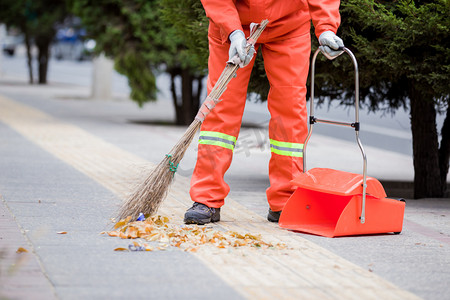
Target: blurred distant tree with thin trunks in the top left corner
[37, 20]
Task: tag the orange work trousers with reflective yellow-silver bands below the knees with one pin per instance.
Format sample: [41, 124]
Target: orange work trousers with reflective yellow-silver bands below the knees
[287, 63]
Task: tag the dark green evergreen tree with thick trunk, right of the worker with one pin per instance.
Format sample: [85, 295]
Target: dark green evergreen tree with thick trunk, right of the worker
[403, 49]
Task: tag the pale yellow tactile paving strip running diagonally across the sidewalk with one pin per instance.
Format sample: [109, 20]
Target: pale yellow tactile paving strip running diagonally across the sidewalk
[305, 271]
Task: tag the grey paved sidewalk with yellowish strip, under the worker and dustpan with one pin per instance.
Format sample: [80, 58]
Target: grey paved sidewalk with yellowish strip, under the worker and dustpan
[66, 166]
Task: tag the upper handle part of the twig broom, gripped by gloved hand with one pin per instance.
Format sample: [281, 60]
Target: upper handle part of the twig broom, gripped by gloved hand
[228, 73]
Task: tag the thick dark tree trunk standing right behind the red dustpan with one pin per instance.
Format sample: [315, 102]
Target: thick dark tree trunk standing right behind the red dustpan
[427, 179]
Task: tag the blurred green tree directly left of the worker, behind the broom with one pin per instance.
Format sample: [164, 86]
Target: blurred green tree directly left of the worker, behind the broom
[143, 44]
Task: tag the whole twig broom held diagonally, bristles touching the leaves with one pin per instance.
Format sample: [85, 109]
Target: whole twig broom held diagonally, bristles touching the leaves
[151, 192]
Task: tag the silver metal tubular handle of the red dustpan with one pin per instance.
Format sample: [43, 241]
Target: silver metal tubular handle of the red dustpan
[313, 120]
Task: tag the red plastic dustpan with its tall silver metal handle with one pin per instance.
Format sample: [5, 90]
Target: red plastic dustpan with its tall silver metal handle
[333, 203]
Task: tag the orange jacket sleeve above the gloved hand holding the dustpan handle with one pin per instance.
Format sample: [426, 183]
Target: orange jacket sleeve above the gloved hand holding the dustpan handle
[325, 15]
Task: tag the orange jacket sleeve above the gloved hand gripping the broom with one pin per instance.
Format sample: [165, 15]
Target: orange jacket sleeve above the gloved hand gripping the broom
[223, 14]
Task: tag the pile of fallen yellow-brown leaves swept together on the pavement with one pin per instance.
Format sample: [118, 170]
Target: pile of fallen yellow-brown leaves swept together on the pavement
[188, 238]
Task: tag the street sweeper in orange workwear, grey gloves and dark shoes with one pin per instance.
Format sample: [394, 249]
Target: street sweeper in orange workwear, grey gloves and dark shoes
[286, 48]
